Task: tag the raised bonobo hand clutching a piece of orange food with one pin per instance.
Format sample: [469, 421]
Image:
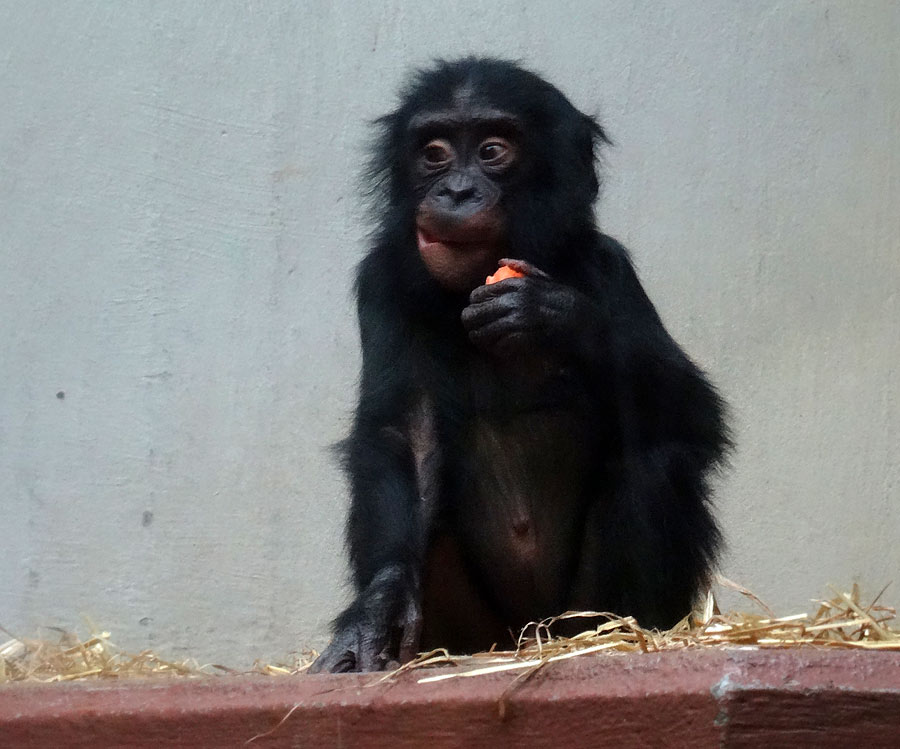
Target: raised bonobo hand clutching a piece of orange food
[526, 314]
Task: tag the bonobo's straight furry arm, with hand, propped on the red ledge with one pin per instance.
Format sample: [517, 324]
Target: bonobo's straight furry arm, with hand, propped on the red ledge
[385, 529]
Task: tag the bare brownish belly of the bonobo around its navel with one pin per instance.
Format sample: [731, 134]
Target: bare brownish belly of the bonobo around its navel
[518, 509]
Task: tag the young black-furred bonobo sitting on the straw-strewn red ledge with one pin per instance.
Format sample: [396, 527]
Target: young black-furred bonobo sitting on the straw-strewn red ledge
[523, 448]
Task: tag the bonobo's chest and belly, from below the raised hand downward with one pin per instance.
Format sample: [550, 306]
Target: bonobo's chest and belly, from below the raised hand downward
[516, 498]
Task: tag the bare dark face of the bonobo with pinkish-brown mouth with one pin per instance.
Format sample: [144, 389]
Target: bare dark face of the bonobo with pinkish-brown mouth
[464, 157]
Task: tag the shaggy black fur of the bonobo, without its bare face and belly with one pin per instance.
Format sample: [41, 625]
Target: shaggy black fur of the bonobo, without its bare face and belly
[639, 539]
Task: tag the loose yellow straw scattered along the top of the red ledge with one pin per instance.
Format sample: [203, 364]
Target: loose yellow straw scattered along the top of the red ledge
[840, 622]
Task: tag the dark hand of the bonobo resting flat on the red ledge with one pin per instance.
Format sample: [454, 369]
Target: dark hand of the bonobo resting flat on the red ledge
[380, 630]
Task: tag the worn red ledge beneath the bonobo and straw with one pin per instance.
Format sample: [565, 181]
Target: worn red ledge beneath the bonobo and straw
[731, 698]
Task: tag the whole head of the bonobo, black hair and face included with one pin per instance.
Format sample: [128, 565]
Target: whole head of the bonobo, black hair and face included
[484, 160]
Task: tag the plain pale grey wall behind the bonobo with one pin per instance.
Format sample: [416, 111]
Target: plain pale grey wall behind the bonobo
[178, 206]
